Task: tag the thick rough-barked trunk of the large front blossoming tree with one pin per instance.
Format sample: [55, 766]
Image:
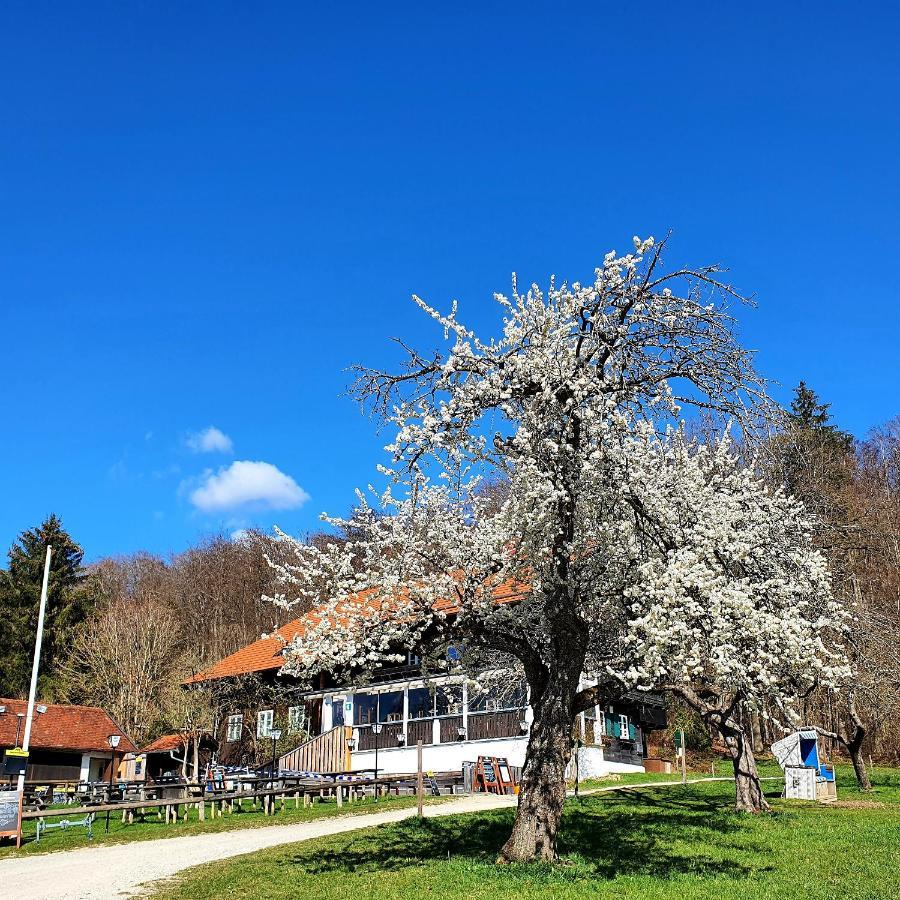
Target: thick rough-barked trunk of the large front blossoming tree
[542, 789]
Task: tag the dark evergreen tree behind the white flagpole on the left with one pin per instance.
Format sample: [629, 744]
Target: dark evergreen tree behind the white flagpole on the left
[70, 597]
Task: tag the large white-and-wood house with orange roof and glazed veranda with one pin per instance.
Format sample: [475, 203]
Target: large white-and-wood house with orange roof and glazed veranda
[336, 728]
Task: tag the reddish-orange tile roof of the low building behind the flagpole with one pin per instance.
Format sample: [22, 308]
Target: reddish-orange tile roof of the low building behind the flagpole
[62, 728]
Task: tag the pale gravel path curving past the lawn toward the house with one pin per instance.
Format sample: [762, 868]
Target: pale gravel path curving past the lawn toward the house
[107, 872]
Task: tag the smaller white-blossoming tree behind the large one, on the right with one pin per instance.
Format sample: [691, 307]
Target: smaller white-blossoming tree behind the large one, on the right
[731, 607]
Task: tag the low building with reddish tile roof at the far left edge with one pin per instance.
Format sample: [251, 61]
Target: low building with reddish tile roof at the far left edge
[68, 743]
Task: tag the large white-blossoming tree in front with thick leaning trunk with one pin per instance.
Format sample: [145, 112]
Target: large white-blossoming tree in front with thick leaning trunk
[547, 576]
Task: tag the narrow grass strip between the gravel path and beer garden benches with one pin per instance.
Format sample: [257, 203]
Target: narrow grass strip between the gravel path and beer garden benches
[153, 827]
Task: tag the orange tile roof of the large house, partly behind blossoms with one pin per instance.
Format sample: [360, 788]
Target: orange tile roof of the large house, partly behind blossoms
[266, 653]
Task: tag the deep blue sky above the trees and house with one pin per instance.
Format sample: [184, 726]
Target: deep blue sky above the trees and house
[209, 211]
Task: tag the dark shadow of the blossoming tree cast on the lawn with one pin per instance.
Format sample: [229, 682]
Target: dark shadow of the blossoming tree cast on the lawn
[631, 834]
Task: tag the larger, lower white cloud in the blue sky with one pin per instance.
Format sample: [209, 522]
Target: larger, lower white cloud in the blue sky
[256, 485]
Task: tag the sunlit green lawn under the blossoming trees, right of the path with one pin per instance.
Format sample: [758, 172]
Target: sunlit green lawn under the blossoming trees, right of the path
[673, 843]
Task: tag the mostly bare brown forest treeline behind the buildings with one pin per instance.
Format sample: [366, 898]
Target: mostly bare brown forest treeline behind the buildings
[123, 633]
